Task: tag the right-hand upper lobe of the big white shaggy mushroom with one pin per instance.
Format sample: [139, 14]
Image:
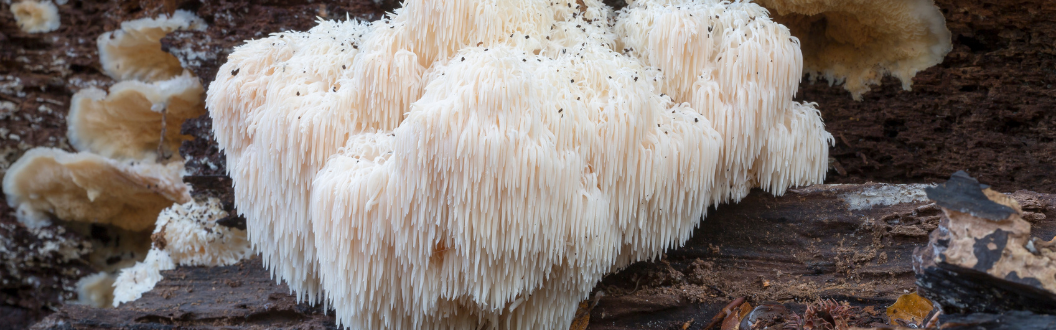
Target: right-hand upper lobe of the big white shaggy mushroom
[741, 70]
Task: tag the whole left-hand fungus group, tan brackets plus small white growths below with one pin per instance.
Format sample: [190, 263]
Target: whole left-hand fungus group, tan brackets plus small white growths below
[127, 169]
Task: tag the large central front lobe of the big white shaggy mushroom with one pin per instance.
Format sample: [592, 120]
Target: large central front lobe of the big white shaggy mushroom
[491, 151]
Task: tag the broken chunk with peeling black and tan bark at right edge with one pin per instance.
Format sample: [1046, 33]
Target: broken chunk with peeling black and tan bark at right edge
[983, 259]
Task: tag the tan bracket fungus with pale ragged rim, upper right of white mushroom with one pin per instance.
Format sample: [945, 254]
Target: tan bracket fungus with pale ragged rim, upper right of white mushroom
[857, 43]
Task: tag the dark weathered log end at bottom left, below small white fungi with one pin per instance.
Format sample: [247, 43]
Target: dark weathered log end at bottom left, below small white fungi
[242, 297]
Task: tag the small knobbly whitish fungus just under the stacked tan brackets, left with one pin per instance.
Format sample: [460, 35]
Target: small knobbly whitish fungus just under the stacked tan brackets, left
[191, 235]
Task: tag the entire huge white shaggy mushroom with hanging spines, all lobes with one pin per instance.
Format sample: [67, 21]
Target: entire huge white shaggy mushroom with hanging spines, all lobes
[473, 164]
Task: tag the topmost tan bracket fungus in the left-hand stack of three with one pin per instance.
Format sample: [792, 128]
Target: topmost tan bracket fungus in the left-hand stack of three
[135, 52]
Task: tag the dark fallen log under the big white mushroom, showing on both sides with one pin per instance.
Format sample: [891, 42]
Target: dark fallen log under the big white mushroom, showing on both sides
[846, 243]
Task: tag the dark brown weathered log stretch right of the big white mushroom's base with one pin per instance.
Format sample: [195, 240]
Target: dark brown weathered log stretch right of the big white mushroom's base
[847, 243]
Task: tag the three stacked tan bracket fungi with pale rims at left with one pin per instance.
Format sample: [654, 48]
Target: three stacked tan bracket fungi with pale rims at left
[128, 168]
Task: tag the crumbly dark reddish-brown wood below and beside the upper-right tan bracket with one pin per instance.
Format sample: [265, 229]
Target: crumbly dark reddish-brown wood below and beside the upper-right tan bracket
[987, 109]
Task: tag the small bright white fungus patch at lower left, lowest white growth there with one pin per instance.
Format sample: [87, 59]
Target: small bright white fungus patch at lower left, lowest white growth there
[134, 282]
